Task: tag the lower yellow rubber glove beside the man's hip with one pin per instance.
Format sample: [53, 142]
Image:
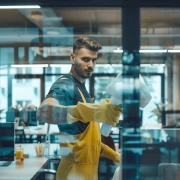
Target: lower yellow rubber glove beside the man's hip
[111, 154]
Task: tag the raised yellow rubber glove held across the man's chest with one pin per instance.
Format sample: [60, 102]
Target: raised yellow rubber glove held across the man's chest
[103, 112]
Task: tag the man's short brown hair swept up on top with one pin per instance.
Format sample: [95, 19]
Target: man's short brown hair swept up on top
[86, 42]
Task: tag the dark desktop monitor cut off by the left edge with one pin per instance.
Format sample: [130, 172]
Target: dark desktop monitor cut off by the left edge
[7, 141]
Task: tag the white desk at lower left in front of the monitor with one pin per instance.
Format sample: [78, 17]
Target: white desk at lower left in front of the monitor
[28, 169]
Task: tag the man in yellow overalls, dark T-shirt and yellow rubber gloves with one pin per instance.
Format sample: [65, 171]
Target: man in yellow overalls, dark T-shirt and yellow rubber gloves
[69, 105]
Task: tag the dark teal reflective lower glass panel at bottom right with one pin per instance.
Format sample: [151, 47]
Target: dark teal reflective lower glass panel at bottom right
[151, 153]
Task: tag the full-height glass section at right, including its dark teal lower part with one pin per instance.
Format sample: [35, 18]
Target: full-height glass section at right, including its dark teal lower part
[151, 150]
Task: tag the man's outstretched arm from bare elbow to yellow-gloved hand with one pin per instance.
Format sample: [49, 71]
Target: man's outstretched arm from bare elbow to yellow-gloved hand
[52, 112]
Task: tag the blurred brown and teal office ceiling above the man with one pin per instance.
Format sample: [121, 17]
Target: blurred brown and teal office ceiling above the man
[160, 28]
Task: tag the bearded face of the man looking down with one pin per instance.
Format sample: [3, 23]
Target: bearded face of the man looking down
[84, 62]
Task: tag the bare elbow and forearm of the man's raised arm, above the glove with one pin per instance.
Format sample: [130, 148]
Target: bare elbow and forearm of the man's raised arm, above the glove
[52, 112]
